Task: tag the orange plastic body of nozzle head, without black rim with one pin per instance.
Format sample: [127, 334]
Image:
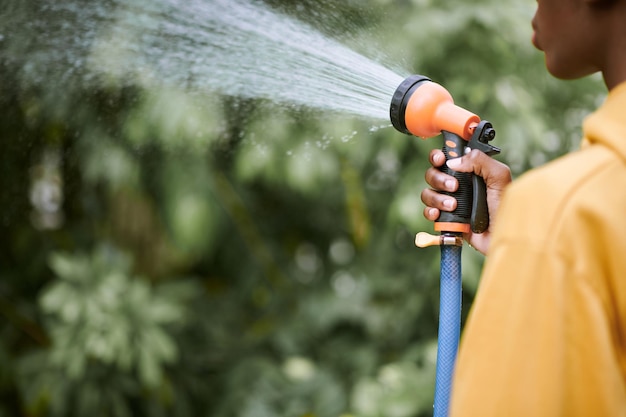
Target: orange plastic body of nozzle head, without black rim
[431, 109]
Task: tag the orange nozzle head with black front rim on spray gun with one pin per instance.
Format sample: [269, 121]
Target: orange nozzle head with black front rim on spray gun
[424, 108]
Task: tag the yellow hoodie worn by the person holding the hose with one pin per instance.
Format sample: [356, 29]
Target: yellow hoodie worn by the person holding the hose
[547, 332]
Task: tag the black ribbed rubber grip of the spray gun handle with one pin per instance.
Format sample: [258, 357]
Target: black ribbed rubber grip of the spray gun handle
[454, 147]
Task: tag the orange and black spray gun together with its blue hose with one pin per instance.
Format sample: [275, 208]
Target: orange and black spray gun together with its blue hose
[425, 109]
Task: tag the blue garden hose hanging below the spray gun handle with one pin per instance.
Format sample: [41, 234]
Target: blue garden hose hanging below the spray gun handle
[449, 326]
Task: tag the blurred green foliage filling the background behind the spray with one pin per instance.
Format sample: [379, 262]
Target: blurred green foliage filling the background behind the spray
[165, 253]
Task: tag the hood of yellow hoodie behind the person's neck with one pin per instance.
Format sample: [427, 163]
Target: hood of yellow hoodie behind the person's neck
[606, 126]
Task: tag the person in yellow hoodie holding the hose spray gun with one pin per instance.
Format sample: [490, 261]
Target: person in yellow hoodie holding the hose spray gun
[546, 335]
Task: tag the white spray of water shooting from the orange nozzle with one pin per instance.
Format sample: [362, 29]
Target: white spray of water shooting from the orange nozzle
[238, 48]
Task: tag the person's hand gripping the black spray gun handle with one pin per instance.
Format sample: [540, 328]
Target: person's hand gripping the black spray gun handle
[497, 177]
